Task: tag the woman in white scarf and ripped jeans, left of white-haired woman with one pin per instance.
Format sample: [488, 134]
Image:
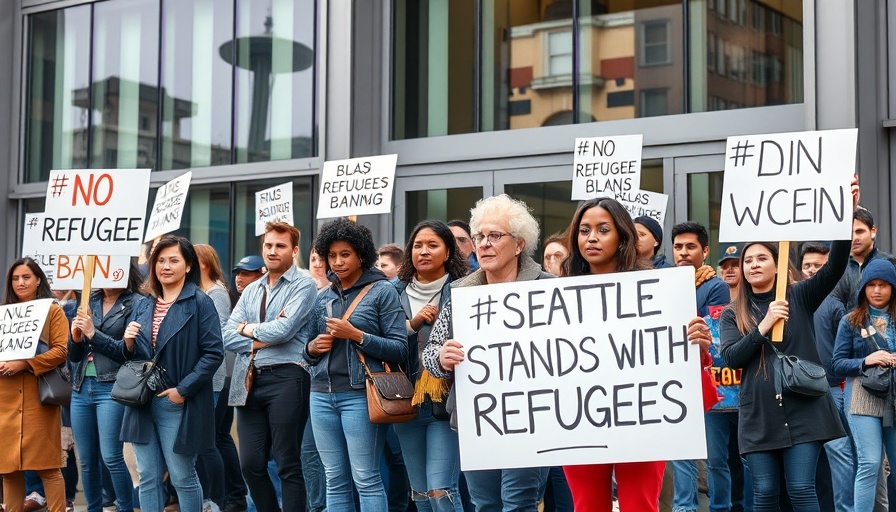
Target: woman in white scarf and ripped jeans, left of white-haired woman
[430, 448]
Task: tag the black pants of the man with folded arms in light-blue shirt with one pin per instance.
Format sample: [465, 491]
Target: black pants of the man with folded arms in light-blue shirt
[268, 425]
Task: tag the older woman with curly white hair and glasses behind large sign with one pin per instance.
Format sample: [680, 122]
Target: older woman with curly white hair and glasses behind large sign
[505, 235]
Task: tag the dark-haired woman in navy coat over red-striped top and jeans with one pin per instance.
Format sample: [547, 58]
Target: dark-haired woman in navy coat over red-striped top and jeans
[179, 325]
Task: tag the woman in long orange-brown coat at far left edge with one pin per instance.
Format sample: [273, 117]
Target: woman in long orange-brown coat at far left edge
[37, 443]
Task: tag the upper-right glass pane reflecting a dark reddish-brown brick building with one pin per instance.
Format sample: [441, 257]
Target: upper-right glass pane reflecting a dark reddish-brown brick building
[745, 53]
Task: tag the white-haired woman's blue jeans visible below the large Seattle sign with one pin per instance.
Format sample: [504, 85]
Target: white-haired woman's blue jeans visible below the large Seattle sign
[506, 490]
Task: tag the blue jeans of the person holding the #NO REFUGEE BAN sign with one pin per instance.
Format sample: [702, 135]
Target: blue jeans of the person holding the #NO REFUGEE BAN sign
[96, 425]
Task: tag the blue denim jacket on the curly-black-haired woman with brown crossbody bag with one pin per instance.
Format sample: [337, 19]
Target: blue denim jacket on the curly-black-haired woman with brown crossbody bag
[379, 315]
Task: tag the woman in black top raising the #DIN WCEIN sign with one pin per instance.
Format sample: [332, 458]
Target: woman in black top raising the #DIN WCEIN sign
[780, 430]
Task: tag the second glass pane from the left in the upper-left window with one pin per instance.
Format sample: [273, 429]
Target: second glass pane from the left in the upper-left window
[125, 84]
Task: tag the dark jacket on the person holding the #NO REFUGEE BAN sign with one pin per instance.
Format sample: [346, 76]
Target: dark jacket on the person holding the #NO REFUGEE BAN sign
[104, 345]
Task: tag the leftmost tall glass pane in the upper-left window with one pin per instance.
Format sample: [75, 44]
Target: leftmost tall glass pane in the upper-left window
[58, 76]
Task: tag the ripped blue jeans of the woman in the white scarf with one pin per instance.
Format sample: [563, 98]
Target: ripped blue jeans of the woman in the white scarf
[432, 456]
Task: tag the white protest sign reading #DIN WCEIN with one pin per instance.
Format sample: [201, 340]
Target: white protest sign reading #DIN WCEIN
[788, 186]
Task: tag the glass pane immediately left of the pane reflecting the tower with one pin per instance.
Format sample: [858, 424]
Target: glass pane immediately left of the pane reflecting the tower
[197, 83]
